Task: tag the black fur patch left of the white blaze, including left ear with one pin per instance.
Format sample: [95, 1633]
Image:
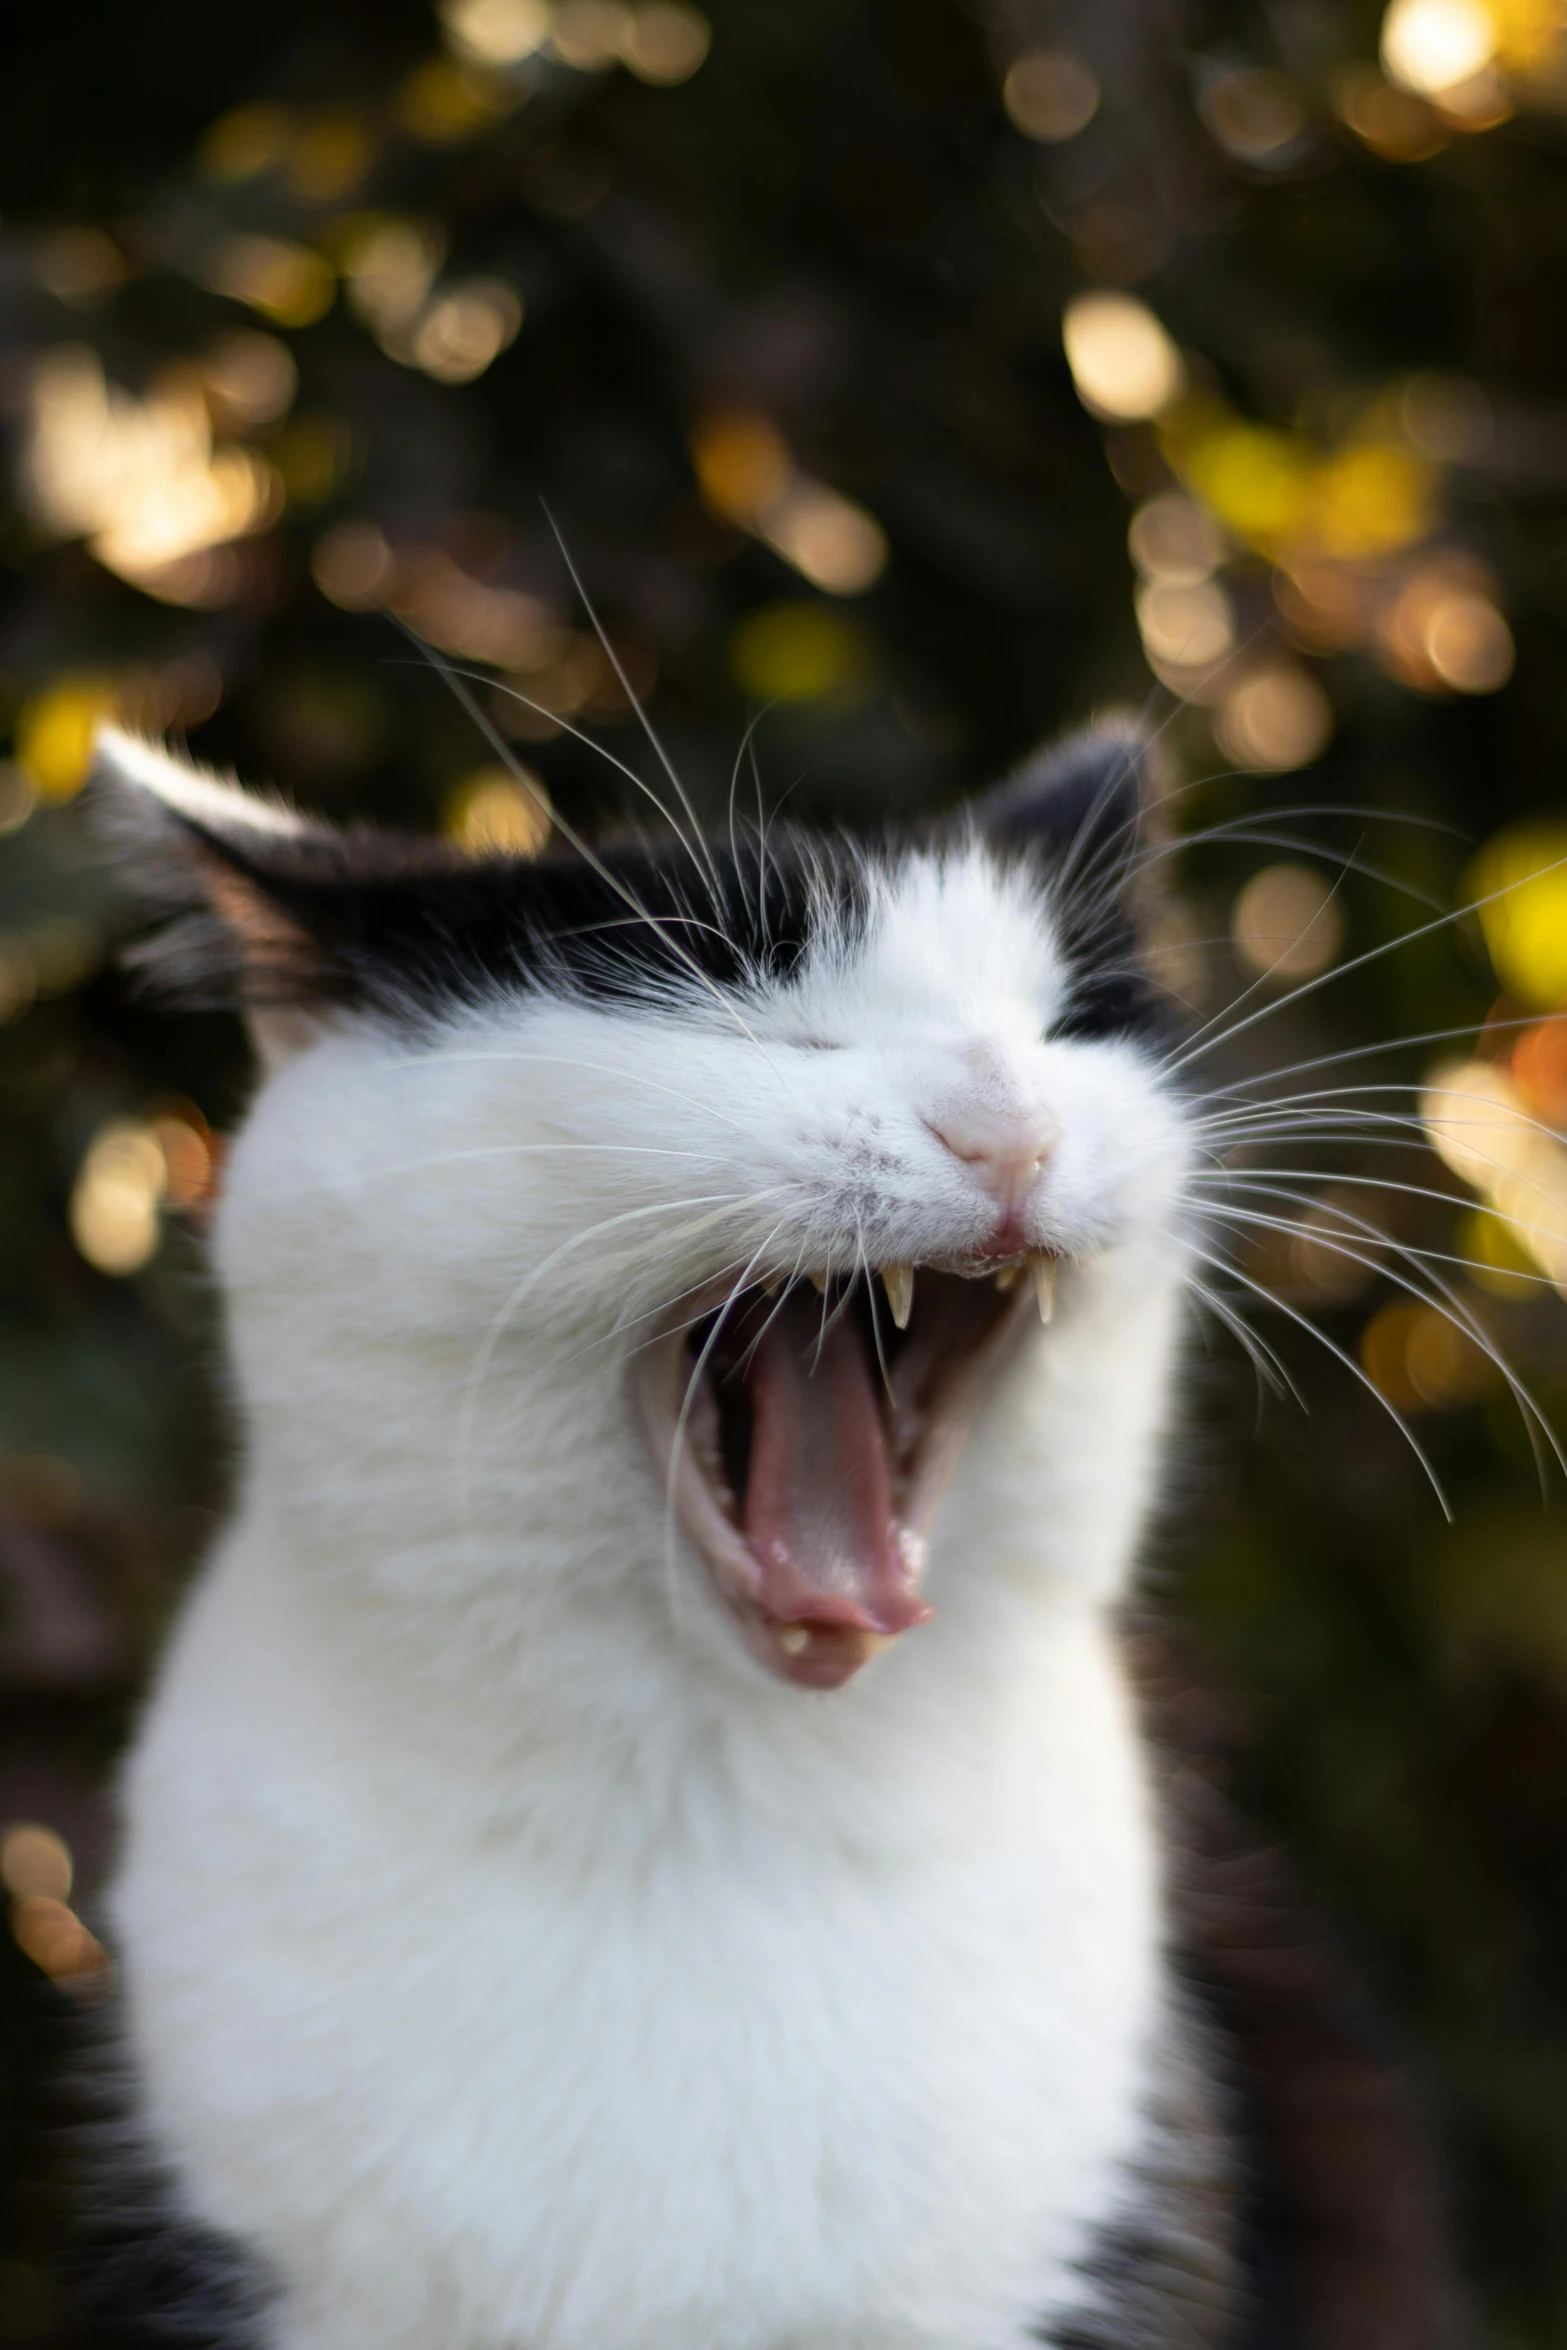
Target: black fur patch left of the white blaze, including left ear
[290, 913]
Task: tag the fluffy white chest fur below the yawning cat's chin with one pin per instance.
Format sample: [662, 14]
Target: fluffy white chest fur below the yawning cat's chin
[744, 2069]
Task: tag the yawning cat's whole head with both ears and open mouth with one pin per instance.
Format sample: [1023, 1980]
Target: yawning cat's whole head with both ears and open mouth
[690, 1202]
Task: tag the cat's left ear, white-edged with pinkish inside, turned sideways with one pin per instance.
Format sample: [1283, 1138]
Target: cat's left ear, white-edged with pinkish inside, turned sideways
[234, 875]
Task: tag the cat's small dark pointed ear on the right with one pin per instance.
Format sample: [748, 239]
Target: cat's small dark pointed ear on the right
[1082, 803]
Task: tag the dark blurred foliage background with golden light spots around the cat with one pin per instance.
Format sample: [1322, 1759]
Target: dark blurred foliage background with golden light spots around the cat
[913, 377]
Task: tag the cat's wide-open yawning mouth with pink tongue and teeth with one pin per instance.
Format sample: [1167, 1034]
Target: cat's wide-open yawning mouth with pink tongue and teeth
[809, 1435]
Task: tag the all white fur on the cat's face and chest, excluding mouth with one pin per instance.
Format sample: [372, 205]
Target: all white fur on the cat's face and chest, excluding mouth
[511, 1956]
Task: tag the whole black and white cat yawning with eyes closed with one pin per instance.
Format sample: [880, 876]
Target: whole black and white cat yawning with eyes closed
[643, 1837]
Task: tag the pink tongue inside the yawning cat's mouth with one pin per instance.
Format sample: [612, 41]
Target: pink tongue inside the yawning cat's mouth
[819, 1505]
